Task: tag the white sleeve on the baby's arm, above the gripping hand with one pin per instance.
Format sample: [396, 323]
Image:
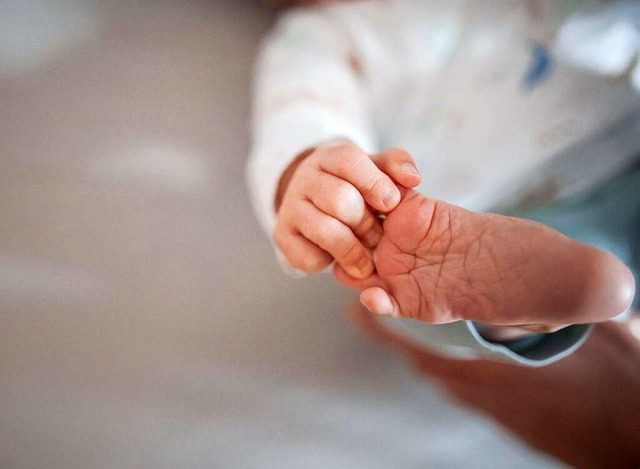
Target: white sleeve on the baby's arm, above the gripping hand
[306, 92]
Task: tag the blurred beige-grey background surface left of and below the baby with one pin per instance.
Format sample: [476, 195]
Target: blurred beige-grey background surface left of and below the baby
[144, 321]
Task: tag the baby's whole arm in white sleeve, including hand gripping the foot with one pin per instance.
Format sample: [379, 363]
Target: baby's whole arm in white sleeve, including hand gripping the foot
[307, 94]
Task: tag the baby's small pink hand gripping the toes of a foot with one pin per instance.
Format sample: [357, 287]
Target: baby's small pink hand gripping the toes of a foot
[328, 210]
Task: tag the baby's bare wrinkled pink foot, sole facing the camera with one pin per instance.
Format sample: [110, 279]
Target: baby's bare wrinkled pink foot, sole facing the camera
[440, 263]
